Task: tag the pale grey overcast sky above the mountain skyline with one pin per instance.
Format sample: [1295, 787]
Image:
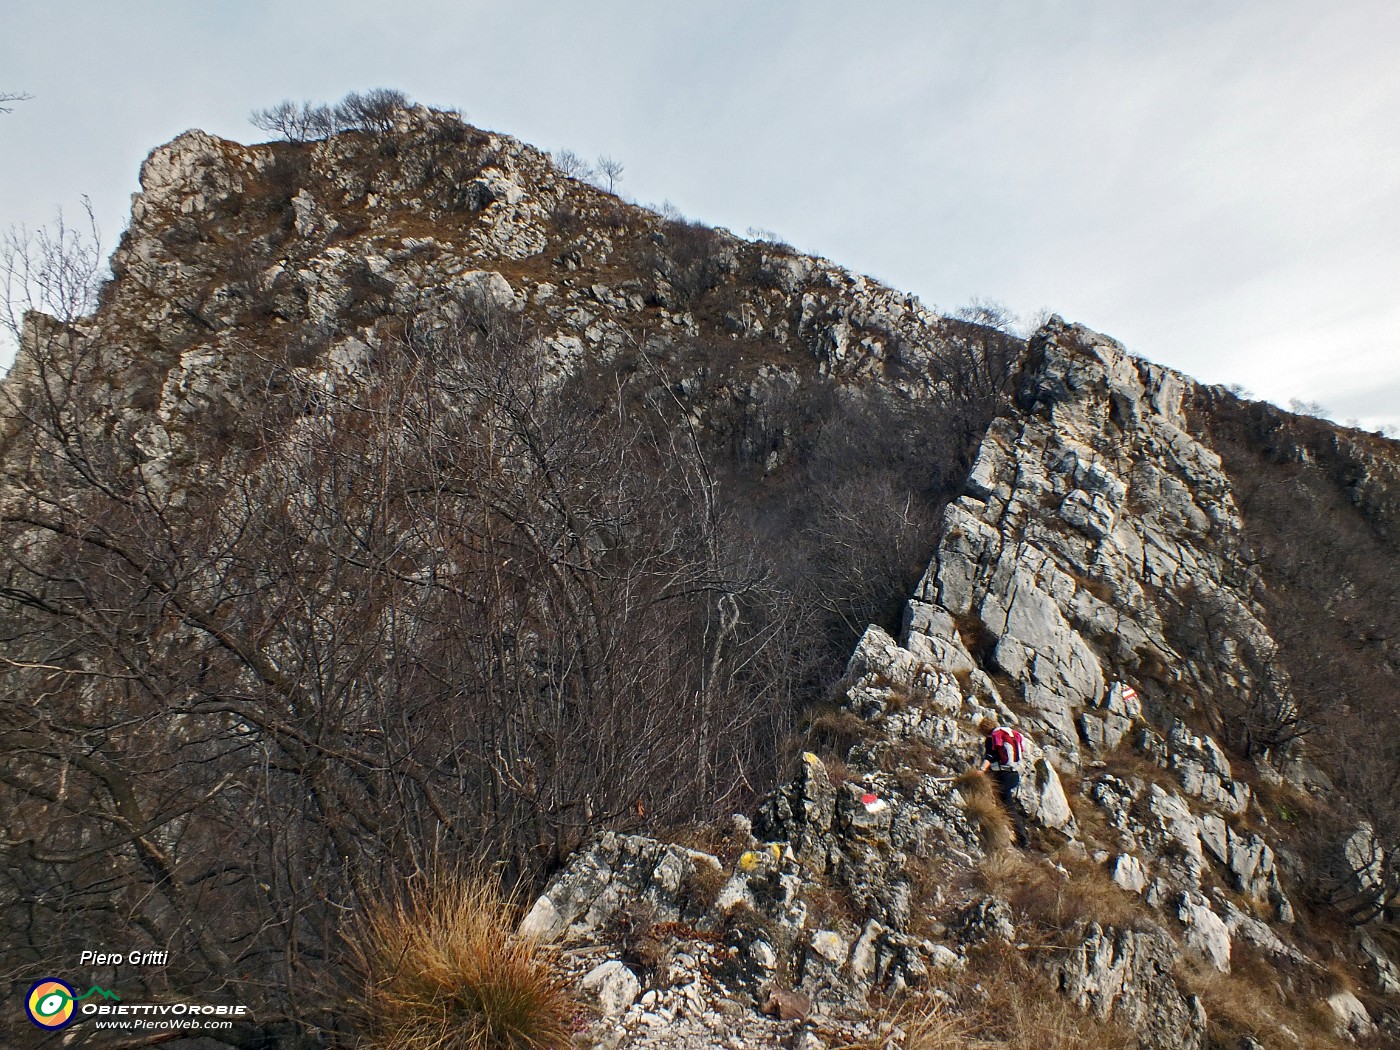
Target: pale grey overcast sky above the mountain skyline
[1214, 184]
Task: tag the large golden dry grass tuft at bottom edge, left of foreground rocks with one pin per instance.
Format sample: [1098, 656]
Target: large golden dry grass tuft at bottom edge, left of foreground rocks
[444, 972]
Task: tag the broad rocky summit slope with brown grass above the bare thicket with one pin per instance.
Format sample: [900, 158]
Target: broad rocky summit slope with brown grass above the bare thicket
[244, 260]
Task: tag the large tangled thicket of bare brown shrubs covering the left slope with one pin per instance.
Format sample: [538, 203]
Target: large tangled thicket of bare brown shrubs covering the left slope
[468, 614]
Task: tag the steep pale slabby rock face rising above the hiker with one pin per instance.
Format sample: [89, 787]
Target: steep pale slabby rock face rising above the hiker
[1094, 533]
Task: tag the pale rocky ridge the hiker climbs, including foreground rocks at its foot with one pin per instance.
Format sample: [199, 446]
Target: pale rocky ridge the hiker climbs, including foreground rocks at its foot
[1063, 598]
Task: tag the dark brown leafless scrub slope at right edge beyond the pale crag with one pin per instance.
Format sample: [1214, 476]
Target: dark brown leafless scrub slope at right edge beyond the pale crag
[1326, 551]
